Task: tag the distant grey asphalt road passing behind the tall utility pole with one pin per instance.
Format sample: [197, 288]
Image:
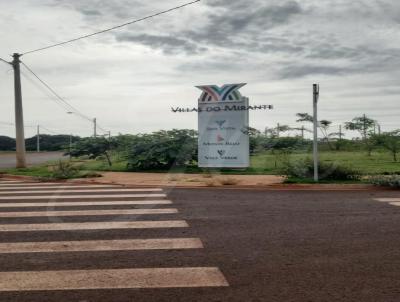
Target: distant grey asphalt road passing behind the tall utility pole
[7, 159]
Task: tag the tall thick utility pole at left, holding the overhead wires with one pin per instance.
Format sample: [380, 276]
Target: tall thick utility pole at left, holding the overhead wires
[19, 115]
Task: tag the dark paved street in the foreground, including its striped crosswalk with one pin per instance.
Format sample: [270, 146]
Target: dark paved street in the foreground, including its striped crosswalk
[109, 243]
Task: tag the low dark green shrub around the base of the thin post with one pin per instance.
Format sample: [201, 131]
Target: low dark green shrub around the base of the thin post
[327, 171]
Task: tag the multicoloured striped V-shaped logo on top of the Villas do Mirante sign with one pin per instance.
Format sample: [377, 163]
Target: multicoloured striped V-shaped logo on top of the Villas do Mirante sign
[226, 93]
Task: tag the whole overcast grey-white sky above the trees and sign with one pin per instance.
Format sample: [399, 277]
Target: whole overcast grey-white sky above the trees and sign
[130, 78]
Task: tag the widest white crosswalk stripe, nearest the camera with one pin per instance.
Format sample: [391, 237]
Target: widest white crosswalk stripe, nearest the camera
[109, 279]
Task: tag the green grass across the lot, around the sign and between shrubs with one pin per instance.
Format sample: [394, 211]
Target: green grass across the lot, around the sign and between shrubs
[267, 163]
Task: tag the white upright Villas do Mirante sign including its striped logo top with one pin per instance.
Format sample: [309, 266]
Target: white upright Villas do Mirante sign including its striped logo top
[223, 127]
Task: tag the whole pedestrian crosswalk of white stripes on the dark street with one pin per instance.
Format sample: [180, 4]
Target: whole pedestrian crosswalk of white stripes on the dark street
[28, 209]
